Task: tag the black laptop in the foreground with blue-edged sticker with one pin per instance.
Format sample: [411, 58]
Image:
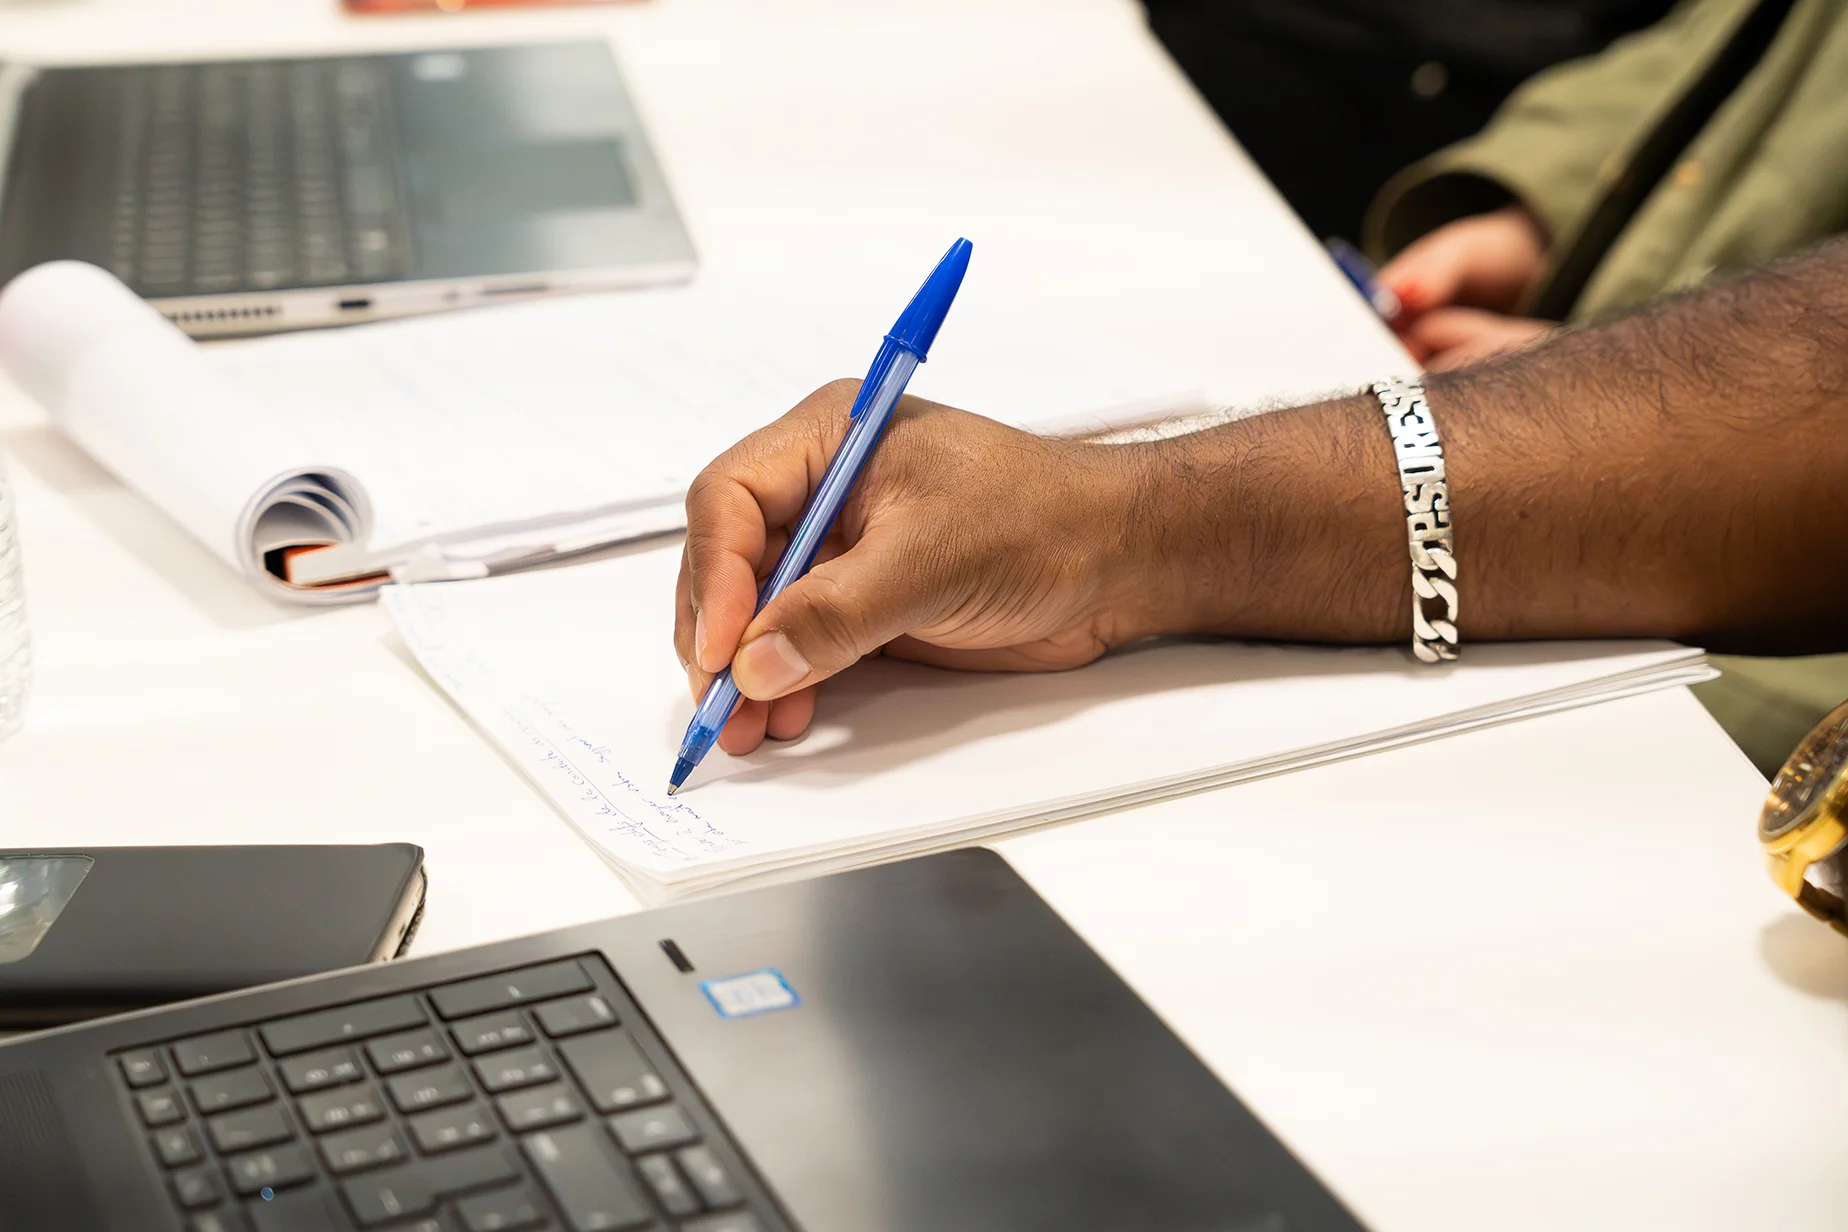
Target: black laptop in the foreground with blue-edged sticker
[918, 1046]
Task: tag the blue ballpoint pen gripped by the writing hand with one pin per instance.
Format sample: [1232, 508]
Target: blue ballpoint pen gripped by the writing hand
[886, 381]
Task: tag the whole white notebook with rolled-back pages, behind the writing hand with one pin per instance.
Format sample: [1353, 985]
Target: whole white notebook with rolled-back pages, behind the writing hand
[319, 465]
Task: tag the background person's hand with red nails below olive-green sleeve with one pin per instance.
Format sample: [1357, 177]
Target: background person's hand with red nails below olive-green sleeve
[1461, 285]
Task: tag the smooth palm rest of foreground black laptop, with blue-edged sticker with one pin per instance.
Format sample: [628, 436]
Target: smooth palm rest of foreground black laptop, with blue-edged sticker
[940, 1052]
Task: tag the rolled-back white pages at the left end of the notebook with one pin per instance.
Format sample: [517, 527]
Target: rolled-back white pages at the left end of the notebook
[140, 396]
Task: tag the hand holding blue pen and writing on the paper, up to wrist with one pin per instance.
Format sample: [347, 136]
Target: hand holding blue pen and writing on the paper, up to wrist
[966, 544]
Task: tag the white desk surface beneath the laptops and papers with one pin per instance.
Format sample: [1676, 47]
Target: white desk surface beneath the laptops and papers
[1529, 978]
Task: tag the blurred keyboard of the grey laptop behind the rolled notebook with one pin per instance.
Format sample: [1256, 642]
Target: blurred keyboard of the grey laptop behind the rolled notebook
[256, 176]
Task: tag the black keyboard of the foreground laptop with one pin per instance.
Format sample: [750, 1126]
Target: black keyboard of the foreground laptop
[524, 1100]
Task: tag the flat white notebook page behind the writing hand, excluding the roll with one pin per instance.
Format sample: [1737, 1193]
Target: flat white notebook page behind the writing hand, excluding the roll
[596, 402]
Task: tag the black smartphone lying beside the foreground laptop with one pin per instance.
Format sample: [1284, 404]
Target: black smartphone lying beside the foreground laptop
[104, 930]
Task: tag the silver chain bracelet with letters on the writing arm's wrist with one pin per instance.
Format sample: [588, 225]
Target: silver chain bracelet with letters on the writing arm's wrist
[1428, 516]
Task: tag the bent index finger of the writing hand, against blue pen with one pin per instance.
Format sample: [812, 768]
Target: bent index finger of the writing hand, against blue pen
[757, 485]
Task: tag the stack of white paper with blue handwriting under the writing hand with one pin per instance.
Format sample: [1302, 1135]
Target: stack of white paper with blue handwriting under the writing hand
[574, 675]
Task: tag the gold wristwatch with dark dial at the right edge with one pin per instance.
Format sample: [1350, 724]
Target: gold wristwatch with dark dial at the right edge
[1805, 825]
